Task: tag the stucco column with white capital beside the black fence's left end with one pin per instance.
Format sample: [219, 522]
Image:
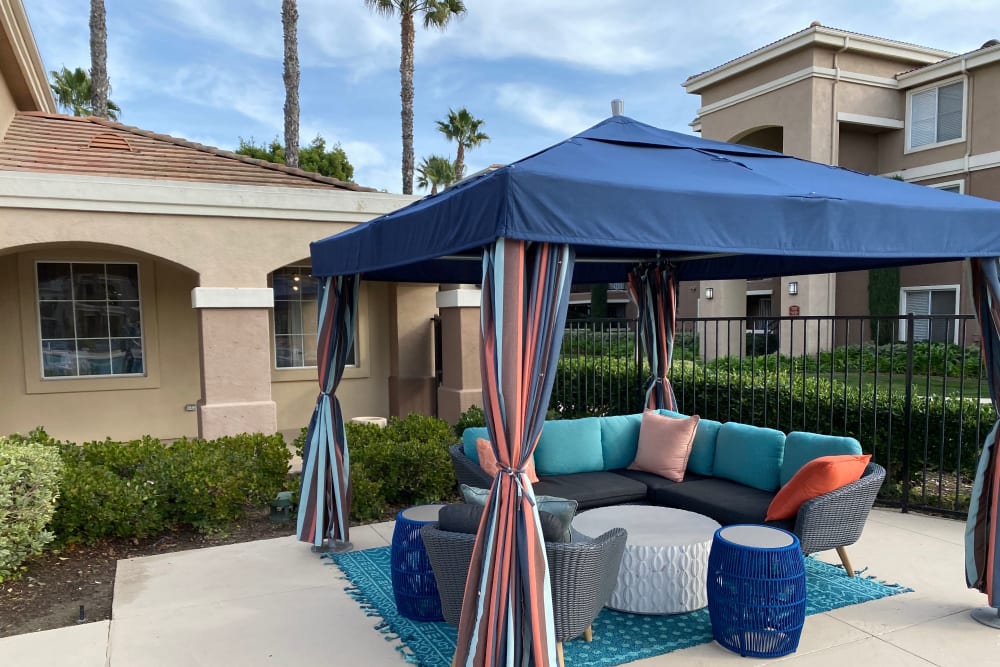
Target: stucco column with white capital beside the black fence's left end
[461, 381]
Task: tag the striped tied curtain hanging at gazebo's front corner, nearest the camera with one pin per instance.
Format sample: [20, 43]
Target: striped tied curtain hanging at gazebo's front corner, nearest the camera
[507, 610]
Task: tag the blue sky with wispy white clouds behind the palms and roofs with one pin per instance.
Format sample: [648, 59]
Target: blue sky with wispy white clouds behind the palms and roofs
[536, 71]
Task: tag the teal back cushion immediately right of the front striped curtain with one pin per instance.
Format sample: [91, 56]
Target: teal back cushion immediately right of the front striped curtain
[568, 446]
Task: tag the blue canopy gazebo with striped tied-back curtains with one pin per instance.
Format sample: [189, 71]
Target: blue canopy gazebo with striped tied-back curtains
[624, 199]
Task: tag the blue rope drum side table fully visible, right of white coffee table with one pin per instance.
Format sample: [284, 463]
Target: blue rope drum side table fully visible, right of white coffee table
[756, 590]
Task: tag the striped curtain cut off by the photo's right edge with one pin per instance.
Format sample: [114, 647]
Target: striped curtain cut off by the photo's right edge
[982, 569]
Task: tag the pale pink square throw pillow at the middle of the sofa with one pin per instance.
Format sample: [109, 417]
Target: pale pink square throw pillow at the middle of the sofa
[664, 445]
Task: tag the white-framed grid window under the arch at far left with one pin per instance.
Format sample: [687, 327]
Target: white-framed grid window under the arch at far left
[89, 319]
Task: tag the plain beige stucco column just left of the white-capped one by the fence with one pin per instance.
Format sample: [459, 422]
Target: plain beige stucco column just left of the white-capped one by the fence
[412, 385]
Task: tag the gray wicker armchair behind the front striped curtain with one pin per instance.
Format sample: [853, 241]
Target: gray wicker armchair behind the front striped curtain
[582, 576]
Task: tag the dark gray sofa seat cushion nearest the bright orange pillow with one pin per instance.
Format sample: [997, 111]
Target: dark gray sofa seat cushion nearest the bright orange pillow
[726, 502]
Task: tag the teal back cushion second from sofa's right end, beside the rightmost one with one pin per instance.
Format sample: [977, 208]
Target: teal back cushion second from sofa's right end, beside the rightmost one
[749, 455]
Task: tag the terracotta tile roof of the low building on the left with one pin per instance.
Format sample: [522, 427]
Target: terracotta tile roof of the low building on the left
[54, 143]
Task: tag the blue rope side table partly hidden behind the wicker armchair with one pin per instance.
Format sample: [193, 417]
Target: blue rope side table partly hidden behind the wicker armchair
[413, 583]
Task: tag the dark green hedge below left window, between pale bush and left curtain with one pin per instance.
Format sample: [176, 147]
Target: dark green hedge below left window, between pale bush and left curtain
[145, 487]
